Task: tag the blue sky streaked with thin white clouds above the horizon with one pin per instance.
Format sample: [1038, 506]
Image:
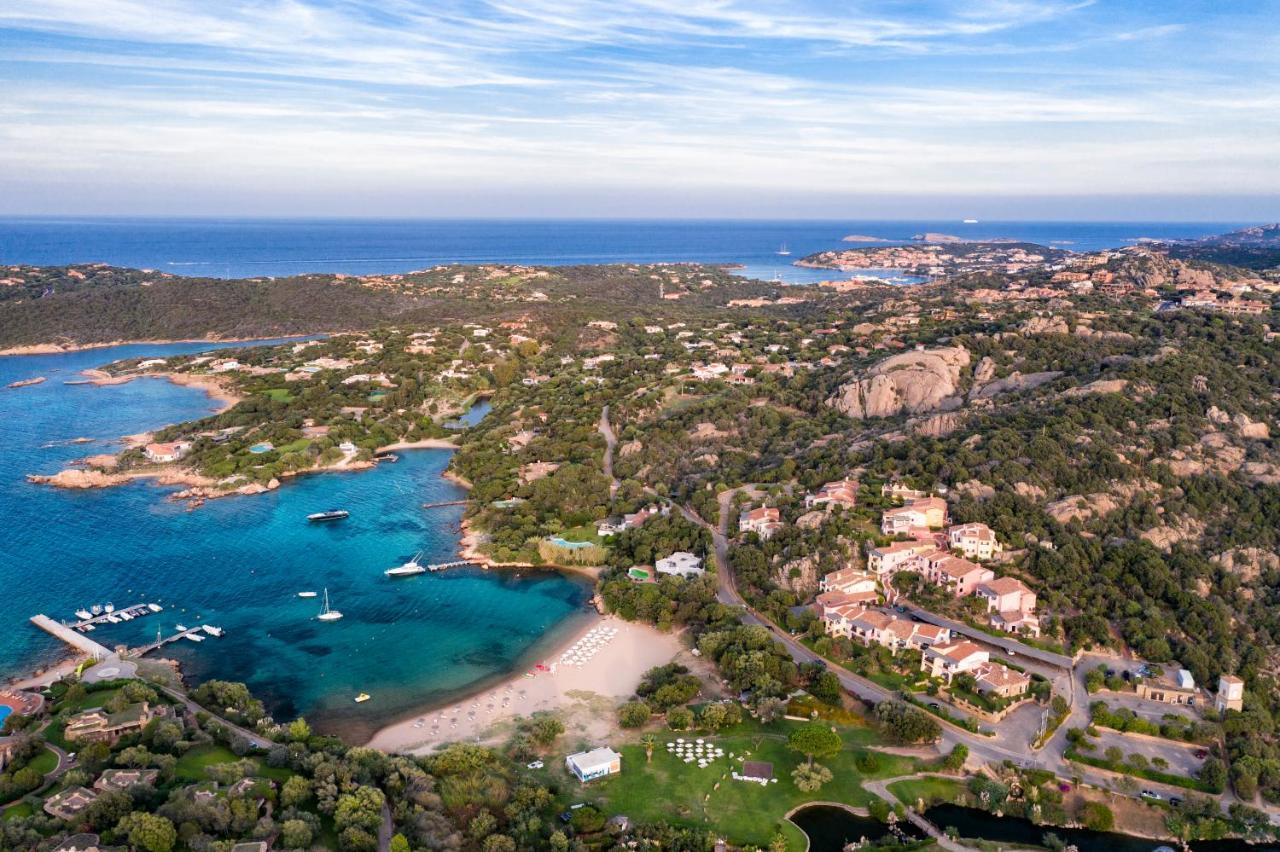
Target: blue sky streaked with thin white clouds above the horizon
[1016, 109]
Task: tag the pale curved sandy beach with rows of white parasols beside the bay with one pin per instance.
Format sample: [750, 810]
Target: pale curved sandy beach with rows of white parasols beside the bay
[587, 694]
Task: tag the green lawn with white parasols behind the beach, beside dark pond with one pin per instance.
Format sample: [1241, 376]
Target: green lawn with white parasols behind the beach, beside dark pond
[673, 791]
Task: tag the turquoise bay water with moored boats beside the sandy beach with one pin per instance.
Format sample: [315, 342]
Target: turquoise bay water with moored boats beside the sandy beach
[240, 562]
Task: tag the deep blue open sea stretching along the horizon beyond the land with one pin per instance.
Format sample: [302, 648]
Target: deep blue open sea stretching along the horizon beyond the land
[277, 248]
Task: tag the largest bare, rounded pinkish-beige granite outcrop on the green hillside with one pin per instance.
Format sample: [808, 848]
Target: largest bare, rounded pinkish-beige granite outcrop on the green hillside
[912, 383]
